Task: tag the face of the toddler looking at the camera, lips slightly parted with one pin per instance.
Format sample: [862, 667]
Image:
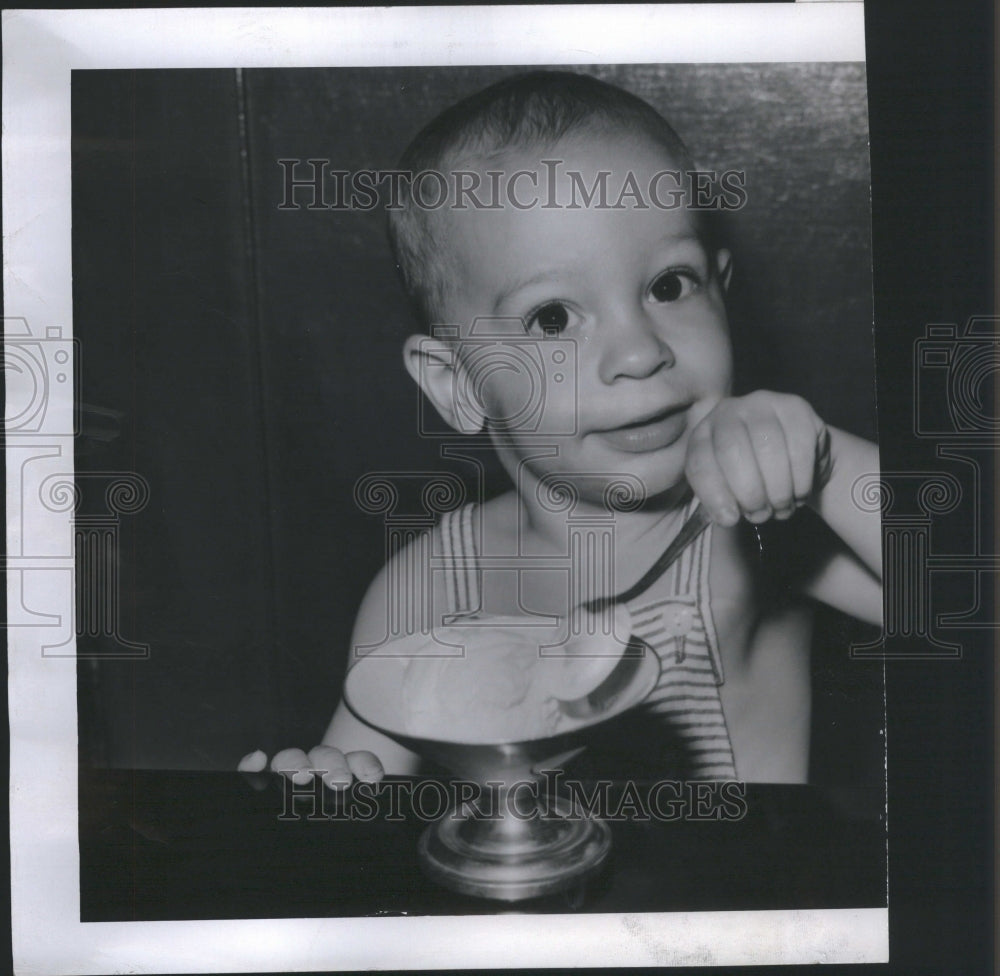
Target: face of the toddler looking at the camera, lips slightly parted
[631, 294]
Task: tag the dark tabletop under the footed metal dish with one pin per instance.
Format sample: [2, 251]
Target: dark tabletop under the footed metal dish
[159, 844]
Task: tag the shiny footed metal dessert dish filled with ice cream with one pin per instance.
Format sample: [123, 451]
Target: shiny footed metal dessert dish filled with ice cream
[498, 701]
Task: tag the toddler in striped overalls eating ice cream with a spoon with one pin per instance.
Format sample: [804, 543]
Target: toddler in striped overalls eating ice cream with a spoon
[594, 254]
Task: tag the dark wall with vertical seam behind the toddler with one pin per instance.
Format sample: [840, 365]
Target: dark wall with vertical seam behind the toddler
[245, 361]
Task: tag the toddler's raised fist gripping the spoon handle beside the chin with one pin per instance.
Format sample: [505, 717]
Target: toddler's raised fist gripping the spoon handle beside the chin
[758, 456]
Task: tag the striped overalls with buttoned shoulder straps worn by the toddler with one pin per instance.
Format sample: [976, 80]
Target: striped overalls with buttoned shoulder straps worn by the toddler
[677, 626]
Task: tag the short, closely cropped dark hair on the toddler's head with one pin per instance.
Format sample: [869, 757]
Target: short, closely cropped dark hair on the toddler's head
[534, 109]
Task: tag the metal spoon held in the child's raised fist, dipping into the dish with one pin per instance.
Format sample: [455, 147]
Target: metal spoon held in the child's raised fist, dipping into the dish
[602, 698]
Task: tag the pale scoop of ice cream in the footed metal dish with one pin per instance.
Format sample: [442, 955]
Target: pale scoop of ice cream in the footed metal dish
[501, 679]
